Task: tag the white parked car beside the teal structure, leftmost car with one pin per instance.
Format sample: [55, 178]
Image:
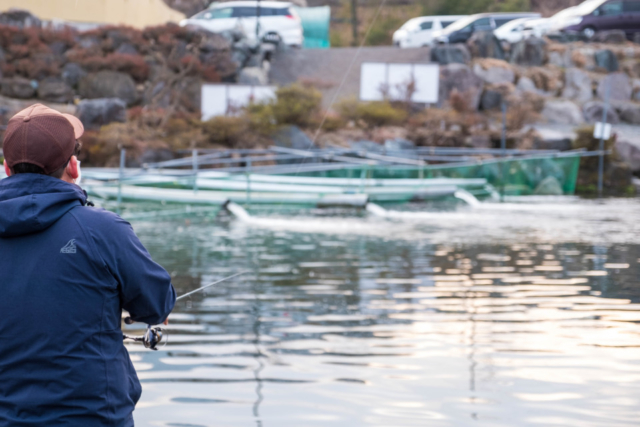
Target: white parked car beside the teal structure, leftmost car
[278, 21]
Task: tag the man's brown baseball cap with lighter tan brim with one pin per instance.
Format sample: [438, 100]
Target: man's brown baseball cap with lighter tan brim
[41, 136]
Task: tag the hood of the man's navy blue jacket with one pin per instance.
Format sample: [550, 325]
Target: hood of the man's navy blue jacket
[30, 202]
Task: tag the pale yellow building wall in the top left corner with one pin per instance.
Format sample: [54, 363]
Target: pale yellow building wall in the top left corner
[135, 13]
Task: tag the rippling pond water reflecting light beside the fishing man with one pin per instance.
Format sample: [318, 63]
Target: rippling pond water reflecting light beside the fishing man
[502, 315]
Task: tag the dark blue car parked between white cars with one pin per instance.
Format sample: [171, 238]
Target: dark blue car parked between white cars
[461, 30]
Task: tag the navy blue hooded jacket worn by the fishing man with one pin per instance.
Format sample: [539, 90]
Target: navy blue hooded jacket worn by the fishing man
[66, 272]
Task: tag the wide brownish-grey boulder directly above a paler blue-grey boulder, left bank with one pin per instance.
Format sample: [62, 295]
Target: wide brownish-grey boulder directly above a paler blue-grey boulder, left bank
[108, 84]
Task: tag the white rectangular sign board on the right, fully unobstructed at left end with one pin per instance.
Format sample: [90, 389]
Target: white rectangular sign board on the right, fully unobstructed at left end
[379, 80]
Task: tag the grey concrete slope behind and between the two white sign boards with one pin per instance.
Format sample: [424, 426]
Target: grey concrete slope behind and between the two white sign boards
[327, 67]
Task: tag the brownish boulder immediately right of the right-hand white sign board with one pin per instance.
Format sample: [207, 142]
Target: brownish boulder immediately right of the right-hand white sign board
[460, 78]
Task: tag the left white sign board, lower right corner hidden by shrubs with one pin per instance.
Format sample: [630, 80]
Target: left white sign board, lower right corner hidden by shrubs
[223, 100]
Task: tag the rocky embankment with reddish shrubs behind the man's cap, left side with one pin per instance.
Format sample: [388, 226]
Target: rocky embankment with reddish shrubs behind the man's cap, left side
[110, 69]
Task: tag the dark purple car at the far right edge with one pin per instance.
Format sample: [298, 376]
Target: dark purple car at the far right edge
[593, 16]
